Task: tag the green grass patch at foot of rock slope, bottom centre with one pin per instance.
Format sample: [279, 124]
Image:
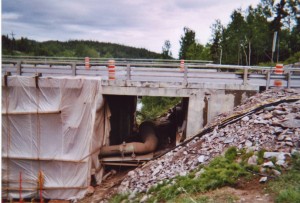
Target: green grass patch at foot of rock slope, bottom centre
[221, 171]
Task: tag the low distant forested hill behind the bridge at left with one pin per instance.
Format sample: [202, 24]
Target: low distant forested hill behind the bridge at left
[72, 48]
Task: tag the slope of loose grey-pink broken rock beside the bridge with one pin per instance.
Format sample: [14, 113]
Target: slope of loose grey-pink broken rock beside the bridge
[274, 128]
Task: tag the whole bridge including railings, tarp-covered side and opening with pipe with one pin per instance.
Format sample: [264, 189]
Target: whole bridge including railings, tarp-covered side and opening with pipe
[59, 114]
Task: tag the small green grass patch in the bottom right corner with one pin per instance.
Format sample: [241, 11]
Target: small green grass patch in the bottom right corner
[287, 187]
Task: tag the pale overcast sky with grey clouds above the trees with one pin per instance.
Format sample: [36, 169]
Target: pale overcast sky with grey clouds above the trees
[139, 23]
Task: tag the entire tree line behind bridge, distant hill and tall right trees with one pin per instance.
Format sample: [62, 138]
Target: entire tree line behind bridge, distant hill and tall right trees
[246, 40]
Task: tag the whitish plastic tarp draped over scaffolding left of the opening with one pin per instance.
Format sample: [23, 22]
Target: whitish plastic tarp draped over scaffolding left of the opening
[52, 129]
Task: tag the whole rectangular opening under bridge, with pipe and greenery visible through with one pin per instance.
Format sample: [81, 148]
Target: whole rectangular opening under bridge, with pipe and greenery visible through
[142, 128]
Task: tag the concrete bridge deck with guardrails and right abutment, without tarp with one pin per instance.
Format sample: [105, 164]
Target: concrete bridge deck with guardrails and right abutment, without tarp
[210, 88]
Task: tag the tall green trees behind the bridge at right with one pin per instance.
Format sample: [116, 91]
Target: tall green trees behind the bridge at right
[248, 38]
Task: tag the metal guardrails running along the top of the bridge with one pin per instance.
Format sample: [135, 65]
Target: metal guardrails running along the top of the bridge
[154, 70]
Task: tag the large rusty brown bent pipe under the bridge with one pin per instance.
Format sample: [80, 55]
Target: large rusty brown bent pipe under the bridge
[149, 144]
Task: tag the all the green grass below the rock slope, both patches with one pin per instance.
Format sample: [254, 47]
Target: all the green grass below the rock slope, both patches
[222, 171]
